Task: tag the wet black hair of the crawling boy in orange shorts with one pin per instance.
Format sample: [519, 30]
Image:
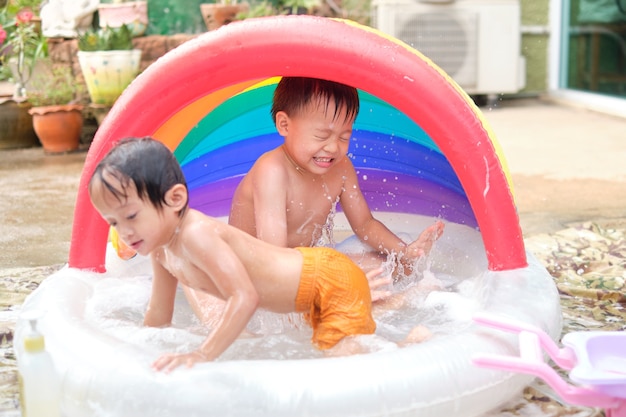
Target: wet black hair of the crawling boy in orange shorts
[145, 162]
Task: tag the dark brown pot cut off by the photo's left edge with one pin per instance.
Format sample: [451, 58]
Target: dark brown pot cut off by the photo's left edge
[16, 125]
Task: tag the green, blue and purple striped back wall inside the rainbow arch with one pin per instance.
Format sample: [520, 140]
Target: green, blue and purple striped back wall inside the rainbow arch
[400, 167]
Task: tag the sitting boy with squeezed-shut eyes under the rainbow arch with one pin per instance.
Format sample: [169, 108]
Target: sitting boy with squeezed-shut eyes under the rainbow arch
[287, 196]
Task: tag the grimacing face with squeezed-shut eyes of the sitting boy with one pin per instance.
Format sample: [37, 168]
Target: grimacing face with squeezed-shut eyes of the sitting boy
[317, 139]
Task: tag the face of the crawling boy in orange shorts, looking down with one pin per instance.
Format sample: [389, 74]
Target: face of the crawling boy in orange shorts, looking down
[136, 220]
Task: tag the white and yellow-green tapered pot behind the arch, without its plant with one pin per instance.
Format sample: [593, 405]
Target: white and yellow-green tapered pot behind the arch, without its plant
[108, 73]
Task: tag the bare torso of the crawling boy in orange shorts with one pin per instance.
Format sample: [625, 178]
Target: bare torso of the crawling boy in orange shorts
[207, 254]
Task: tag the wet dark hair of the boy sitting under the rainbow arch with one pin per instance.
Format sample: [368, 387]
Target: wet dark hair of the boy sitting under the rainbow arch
[293, 94]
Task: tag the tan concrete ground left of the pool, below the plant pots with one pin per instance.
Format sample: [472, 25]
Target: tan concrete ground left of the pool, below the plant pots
[37, 206]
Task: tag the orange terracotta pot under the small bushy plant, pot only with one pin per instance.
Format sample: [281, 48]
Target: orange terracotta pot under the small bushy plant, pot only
[58, 127]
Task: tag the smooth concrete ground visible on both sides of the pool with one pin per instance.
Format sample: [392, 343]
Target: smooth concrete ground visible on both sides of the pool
[567, 164]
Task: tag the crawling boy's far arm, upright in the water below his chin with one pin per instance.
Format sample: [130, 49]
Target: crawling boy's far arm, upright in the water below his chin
[161, 305]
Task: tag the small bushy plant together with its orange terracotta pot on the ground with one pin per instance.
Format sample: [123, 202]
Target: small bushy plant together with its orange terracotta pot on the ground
[56, 111]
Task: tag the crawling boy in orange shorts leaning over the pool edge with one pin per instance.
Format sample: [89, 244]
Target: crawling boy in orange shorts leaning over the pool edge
[140, 190]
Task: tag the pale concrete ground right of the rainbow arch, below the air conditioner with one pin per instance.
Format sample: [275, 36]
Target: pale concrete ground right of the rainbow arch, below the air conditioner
[568, 164]
